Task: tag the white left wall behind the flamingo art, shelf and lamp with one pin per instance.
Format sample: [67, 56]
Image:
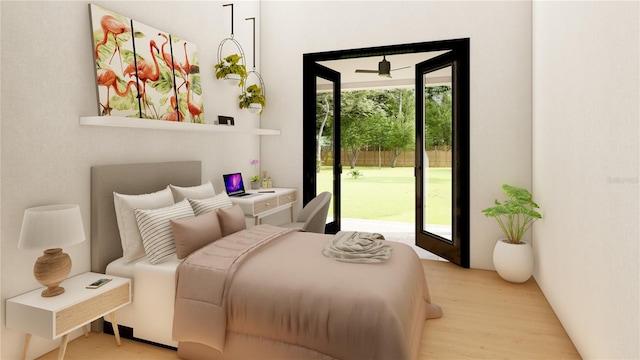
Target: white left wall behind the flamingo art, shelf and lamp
[48, 82]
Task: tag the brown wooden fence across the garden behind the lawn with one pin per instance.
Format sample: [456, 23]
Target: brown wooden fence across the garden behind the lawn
[437, 158]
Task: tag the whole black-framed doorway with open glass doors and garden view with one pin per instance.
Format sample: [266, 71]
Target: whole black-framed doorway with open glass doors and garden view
[359, 144]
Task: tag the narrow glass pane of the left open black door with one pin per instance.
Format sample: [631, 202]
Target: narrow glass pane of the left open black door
[324, 140]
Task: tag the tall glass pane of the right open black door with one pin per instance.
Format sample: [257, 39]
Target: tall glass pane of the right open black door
[438, 151]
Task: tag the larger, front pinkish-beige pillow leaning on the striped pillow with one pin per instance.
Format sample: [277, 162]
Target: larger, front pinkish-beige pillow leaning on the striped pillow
[193, 233]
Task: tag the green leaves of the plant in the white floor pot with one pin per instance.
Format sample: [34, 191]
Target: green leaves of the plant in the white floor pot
[516, 214]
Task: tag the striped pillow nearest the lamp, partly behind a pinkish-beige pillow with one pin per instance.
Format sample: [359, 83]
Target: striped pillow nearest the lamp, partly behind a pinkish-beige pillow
[156, 232]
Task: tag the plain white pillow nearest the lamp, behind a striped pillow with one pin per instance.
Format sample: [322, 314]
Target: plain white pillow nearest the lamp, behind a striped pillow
[125, 214]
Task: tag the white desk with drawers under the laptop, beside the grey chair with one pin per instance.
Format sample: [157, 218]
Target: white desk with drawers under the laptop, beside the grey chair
[267, 203]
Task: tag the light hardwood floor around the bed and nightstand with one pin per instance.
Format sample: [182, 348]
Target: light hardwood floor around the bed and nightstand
[484, 317]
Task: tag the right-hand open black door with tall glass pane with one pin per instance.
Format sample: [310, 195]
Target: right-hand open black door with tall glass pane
[442, 167]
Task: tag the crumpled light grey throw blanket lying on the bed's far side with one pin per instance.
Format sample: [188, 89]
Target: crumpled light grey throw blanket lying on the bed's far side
[354, 246]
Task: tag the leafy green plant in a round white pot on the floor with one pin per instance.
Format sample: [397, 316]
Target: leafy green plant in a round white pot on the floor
[513, 257]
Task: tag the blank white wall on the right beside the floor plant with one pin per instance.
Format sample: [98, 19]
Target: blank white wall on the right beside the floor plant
[585, 170]
